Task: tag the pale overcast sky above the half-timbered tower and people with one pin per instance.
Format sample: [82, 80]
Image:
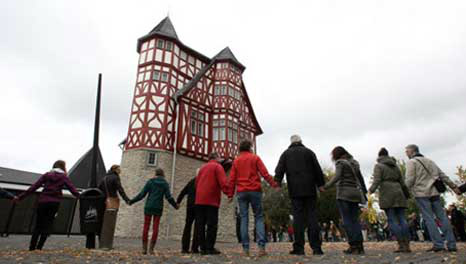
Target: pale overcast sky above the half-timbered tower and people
[361, 74]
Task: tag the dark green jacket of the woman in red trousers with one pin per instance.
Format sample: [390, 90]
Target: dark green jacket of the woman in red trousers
[157, 189]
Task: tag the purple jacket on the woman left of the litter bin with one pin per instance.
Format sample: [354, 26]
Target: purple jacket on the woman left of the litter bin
[53, 183]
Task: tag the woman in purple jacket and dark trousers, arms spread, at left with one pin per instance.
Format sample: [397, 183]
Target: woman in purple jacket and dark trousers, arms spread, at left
[49, 201]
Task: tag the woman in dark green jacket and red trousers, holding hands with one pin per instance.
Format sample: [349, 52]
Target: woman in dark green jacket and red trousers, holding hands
[157, 188]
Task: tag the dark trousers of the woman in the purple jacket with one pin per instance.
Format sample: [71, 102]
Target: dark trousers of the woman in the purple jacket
[44, 223]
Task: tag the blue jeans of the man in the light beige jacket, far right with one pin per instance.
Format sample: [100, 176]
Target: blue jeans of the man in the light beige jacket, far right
[431, 207]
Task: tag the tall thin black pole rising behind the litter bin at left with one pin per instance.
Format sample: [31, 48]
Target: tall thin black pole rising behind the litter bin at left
[90, 238]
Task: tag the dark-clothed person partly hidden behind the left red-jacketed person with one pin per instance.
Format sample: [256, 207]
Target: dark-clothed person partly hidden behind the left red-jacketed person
[190, 191]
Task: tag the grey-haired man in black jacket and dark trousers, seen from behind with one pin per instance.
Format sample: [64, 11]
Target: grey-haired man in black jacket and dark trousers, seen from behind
[303, 176]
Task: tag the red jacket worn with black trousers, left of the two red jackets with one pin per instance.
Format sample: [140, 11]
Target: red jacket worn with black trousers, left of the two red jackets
[210, 182]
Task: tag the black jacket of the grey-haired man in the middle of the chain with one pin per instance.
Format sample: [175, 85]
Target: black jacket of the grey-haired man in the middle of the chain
[302, 169]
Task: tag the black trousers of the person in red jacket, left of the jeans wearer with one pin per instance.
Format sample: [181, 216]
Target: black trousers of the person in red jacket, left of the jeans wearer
[207, 225]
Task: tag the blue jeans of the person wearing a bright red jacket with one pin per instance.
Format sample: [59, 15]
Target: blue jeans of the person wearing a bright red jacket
[255, 199]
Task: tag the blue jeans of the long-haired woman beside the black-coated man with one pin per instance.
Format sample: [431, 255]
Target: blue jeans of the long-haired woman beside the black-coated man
[349, 211]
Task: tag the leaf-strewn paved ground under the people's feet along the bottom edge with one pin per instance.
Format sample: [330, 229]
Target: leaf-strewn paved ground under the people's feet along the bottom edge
[61, 249]
